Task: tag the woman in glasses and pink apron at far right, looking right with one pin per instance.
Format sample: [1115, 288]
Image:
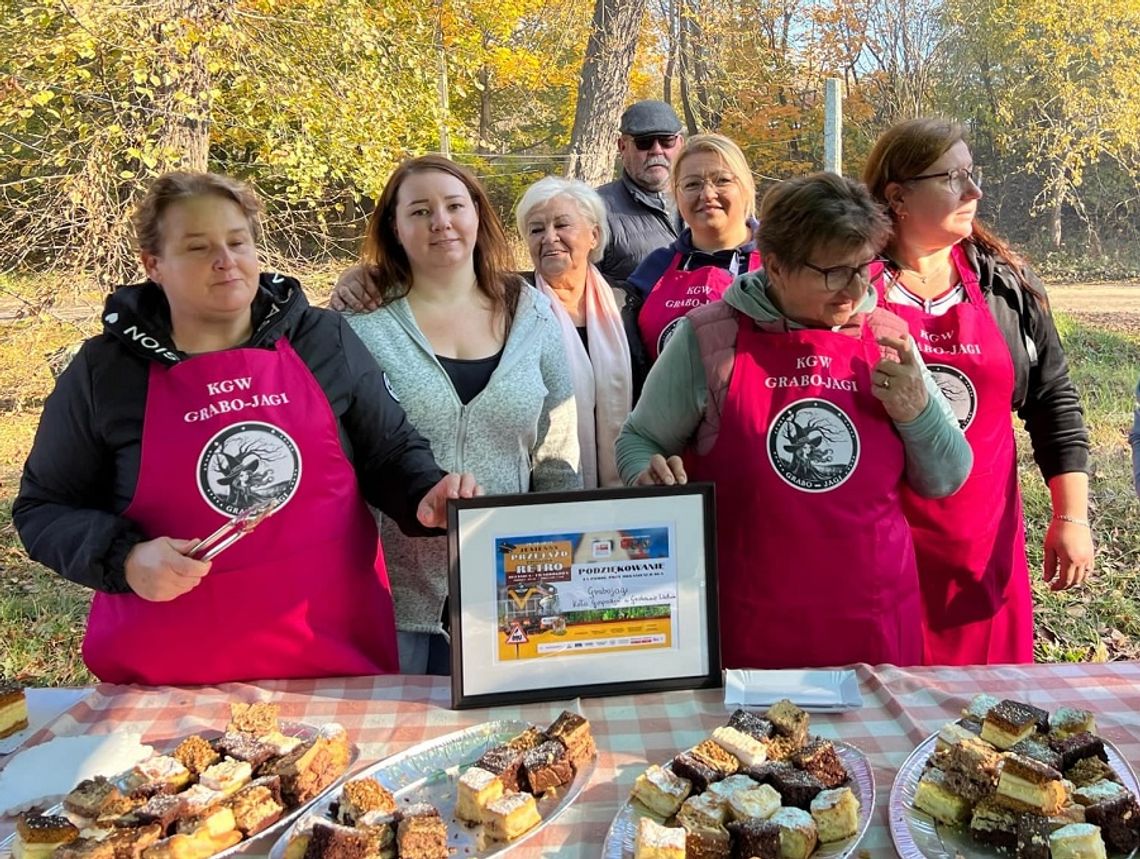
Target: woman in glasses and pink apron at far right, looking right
[982, 321]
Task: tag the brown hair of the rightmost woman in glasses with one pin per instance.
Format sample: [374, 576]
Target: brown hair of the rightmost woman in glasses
[908, 150]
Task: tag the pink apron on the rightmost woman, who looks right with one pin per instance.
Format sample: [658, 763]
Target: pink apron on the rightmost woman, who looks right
[971, 547]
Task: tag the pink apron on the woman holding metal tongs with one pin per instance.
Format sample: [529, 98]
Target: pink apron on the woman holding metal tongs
[307, 593]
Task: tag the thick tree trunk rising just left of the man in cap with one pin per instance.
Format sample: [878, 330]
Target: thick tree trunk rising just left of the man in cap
[604, 88]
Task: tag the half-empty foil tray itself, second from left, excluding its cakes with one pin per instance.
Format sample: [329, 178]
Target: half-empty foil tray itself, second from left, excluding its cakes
[428, 773]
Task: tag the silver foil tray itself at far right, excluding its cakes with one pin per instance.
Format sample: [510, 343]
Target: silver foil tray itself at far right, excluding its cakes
[917, 836]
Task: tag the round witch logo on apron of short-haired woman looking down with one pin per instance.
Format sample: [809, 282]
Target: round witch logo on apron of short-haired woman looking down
[813, 446]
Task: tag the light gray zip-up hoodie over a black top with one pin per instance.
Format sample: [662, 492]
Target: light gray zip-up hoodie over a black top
[520, 433]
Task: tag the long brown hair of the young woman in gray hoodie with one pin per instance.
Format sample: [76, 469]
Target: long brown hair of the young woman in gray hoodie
[387, 263]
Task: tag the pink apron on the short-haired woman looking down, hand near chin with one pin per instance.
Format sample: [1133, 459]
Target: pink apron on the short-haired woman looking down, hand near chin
[815, 555]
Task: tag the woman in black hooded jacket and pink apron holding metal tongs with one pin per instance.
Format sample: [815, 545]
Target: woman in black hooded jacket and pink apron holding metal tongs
[216, 390]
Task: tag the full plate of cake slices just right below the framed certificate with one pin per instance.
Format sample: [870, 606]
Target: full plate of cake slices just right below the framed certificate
[759, 787]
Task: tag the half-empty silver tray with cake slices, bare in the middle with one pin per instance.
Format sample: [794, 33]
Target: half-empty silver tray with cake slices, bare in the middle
[475, 792]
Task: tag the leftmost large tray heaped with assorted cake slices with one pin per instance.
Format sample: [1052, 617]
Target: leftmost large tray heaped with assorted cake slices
[201, 799]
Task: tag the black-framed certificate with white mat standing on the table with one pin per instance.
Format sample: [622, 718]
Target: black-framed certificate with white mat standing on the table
[561, 595]
